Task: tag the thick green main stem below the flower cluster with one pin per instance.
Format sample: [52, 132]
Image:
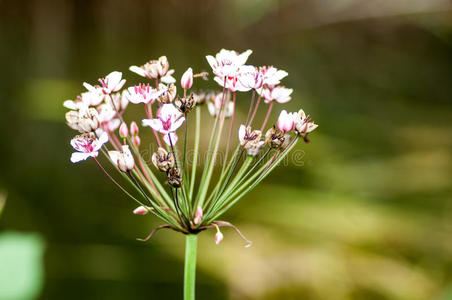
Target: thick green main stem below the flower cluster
[190, 266]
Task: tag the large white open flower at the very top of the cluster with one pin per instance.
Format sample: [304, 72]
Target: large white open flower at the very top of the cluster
[227, 62]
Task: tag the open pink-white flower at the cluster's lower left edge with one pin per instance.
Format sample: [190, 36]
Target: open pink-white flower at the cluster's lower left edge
[87, 145]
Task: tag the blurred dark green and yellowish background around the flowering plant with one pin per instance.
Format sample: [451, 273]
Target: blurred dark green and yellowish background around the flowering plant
[365, 214]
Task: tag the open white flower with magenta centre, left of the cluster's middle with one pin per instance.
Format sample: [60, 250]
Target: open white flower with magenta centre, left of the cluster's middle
[169, 119]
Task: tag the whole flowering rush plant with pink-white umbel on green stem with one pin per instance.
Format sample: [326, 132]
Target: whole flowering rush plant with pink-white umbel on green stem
[171, 188]
